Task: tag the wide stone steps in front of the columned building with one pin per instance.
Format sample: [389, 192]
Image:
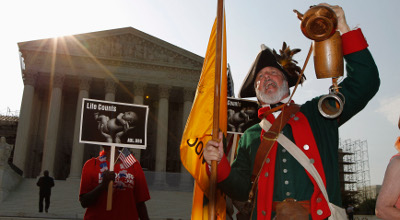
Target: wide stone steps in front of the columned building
[167, 202]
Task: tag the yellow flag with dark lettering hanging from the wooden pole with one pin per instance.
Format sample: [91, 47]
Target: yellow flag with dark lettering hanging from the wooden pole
[198, 129]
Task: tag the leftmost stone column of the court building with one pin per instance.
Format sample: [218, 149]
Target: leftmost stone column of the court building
[24, 122]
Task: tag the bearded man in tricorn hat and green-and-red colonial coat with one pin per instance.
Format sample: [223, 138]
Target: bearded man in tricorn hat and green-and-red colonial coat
[283, 183]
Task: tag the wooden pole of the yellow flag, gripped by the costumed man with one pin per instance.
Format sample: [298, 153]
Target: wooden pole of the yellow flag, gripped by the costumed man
[217, 91]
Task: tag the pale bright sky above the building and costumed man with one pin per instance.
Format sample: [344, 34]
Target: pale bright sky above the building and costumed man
[187, 24]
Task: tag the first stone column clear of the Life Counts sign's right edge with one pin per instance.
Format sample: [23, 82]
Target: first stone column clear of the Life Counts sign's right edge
[162, 129]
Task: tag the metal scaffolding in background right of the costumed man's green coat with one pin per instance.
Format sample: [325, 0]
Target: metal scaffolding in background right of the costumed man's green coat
[354, 165]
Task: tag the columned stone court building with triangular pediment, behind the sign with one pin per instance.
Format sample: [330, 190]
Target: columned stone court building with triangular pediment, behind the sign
[121, 65]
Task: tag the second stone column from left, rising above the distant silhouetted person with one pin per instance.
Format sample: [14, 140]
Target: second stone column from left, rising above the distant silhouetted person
[50, 141]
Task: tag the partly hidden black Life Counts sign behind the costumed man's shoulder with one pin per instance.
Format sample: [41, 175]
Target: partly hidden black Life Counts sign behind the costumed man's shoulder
[242, 114]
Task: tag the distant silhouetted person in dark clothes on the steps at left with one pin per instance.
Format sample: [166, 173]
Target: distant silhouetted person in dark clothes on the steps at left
[45, 183]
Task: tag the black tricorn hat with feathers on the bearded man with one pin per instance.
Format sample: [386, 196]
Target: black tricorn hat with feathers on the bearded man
[266, 57]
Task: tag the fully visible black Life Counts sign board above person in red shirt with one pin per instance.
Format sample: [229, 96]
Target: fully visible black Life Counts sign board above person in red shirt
[113, 124]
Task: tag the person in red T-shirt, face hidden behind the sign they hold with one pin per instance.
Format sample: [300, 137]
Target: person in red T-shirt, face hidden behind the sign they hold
[130, 191]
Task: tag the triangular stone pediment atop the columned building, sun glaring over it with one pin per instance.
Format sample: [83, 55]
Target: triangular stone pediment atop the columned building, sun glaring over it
[124, 46]
